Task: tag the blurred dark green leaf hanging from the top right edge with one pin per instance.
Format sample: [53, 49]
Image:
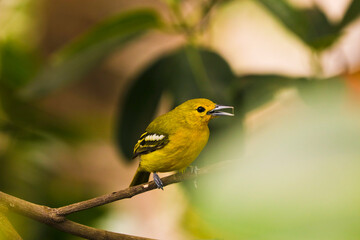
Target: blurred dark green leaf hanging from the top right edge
[310, 25]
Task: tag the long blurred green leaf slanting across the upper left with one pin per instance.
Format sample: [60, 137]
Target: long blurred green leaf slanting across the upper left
[85, 53]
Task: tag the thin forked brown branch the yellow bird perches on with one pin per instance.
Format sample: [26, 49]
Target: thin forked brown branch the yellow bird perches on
[56, 216]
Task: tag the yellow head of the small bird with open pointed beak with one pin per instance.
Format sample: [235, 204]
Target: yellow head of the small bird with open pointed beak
[200, 111]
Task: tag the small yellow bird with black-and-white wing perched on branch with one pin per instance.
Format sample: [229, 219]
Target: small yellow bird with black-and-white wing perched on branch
[172, 141]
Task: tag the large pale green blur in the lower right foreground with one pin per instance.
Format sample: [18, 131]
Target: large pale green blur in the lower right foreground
[298, 179]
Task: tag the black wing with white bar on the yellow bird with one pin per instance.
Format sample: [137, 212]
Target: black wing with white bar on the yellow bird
[149, 142]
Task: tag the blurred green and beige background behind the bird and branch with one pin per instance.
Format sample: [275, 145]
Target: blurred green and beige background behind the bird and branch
[80, 80]
